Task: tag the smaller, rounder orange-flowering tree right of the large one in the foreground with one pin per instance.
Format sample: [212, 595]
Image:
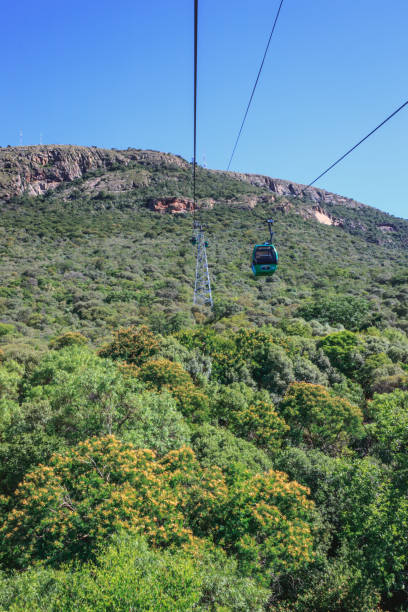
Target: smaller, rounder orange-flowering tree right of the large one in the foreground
[266, 522]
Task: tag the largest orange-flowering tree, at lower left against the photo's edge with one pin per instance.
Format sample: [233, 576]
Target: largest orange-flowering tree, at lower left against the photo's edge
[64, 510]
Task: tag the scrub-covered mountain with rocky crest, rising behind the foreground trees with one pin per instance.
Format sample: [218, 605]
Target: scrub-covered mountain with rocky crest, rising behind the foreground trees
[84, 246]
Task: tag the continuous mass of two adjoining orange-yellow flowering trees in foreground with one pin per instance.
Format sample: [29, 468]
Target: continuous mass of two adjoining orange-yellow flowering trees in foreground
[102, 486]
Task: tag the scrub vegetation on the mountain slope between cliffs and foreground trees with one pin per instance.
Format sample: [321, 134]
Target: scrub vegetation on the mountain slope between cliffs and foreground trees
[76, 259]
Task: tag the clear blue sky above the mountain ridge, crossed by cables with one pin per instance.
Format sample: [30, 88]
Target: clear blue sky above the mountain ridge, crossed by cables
[119, 73]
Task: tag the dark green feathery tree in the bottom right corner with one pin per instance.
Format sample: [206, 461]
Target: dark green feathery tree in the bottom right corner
[364, 511]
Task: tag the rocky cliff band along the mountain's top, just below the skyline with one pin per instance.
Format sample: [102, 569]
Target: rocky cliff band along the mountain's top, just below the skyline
[109, 178]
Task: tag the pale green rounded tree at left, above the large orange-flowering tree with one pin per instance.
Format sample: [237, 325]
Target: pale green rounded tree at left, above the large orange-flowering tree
[88, 395]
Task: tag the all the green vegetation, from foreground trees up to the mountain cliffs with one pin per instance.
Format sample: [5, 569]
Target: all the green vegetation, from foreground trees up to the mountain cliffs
[156, 456]
